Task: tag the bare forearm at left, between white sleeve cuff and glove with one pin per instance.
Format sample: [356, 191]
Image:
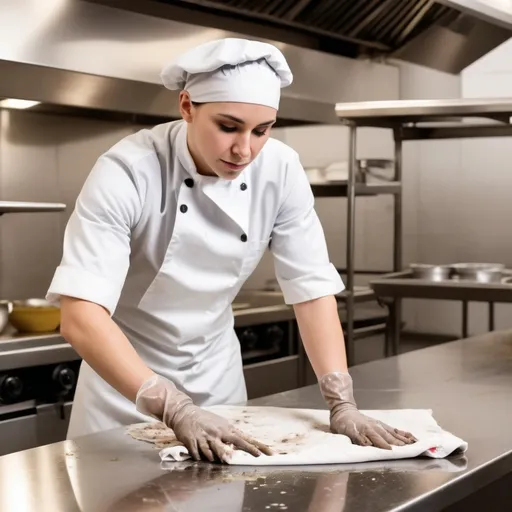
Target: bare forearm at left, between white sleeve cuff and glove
[102, 344]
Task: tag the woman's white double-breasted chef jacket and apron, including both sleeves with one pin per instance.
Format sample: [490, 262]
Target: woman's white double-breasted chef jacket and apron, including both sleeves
[169, 276]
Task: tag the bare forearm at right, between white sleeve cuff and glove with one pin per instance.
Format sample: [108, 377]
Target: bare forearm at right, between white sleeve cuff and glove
[322, 335]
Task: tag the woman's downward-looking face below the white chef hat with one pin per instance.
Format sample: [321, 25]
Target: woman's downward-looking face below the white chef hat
[223, 138]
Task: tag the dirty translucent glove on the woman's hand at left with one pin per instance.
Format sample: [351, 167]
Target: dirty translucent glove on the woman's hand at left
[202, 432]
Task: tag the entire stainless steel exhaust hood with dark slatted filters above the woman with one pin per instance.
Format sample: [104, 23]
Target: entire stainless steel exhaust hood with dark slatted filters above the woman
[102, 58]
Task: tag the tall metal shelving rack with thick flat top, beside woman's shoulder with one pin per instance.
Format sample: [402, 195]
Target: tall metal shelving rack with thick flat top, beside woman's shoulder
[409, 120]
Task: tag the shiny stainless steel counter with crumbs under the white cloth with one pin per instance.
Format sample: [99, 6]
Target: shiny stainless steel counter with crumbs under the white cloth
[467, 384]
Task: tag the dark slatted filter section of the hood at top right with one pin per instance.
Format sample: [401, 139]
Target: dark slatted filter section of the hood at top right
[447, 35]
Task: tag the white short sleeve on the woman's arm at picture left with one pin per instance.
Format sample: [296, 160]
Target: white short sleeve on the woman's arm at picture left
[96, 249]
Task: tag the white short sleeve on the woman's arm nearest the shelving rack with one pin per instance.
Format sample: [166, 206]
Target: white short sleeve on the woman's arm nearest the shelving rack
[303, 269]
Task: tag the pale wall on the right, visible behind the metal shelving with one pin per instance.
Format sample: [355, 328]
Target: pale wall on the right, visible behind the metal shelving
[463, 189]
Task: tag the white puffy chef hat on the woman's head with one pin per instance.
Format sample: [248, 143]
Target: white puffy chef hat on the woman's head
[230, 70]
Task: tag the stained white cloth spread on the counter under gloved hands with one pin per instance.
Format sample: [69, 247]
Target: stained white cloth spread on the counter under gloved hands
[308, 440]
